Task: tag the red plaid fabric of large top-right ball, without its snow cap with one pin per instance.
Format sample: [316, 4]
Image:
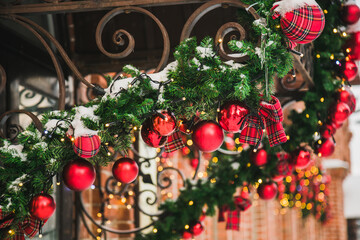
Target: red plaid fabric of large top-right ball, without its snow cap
[302, 25]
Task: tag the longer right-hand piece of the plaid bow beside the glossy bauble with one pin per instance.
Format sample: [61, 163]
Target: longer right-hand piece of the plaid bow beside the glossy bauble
[272, 112]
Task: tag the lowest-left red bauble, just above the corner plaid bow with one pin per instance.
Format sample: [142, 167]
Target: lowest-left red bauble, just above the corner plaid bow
[42, 206]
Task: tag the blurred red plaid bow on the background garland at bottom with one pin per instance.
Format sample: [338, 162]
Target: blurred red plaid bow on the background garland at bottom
[233, 216]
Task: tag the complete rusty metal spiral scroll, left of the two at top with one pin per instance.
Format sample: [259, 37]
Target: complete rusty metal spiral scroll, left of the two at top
[118, 35]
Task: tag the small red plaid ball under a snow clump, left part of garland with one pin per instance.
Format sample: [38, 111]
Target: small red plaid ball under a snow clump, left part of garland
[87, 146]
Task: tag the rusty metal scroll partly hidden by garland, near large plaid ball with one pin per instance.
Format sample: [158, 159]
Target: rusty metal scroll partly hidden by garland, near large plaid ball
[224, 29]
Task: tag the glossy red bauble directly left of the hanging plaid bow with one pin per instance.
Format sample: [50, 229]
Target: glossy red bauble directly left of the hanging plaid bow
[231, 116]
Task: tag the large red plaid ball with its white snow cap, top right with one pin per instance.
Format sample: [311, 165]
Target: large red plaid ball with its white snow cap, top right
[302, 21]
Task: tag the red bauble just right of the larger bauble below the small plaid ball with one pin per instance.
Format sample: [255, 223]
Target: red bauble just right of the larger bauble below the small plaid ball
[125, 170]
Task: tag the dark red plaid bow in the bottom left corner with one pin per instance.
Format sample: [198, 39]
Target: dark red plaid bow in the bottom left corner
[29, 226]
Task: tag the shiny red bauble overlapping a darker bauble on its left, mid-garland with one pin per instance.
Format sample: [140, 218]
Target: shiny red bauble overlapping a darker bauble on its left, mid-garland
[164, 124]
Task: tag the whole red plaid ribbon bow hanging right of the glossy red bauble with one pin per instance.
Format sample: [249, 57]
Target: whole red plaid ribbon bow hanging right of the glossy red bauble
[253, 124]
